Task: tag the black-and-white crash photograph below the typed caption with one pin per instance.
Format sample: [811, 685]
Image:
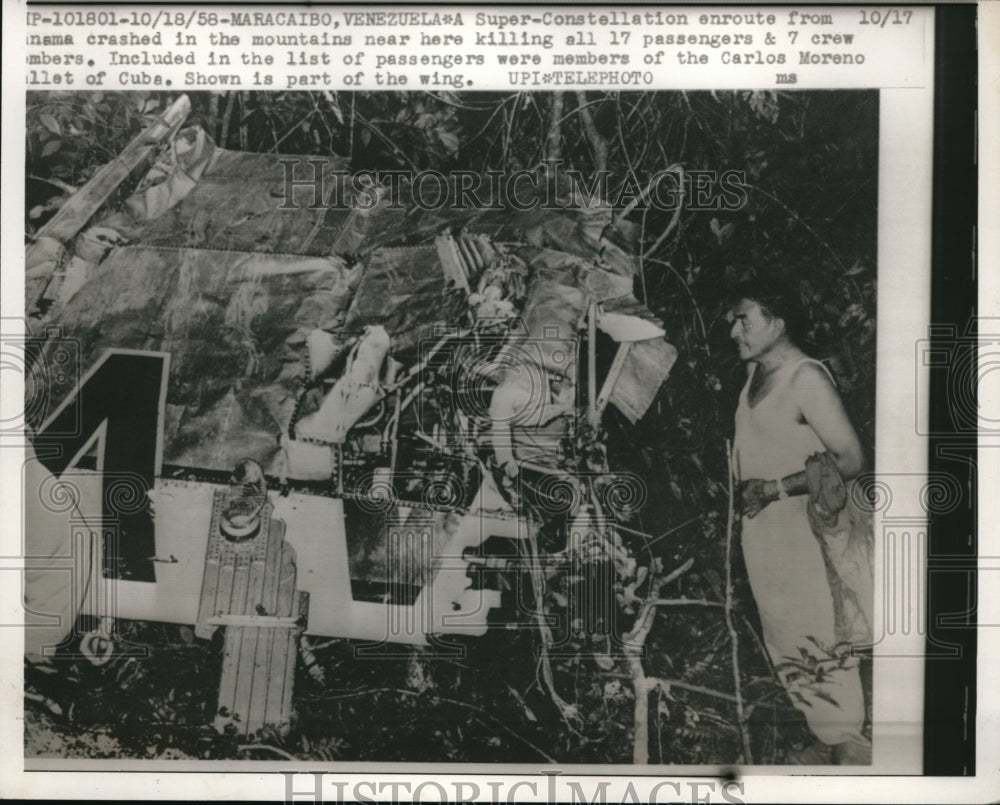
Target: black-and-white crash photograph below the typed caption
[452, 426]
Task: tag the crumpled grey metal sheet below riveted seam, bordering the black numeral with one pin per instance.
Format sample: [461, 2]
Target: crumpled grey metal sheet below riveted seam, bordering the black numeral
[235, 325]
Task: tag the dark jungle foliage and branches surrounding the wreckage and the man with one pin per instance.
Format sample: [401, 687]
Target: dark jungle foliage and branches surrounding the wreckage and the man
[810, 165]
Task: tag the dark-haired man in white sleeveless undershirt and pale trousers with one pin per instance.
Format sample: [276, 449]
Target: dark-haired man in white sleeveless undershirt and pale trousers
[789, 409]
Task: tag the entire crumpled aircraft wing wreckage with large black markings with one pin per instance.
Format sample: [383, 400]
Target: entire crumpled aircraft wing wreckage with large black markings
[343, 421]
